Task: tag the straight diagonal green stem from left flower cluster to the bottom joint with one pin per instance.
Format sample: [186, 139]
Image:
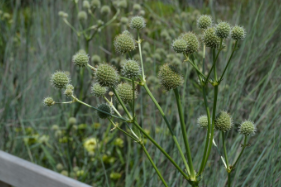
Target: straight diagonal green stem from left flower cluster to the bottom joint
[161, 149]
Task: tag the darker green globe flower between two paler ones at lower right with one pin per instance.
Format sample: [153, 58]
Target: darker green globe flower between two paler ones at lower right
[223, 121]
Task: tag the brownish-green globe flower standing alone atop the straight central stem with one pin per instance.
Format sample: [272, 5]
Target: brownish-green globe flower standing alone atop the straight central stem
[170, 77]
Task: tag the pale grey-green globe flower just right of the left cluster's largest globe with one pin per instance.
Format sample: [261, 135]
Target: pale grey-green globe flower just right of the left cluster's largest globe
[131, 69]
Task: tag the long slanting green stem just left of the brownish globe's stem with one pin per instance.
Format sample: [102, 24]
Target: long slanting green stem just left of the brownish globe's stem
[168, 125]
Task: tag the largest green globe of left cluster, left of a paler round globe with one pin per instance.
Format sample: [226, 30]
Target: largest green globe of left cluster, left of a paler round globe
[106, 75]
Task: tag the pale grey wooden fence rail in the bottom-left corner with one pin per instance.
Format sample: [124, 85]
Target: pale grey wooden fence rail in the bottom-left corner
[17, 172]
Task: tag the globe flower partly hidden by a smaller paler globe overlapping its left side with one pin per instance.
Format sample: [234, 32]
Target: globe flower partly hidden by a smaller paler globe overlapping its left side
[192, 42]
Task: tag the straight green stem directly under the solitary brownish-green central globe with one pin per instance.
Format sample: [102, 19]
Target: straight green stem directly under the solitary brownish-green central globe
[183, 129]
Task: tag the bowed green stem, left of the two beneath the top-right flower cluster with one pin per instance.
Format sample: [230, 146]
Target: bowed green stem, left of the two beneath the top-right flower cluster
[209, 130]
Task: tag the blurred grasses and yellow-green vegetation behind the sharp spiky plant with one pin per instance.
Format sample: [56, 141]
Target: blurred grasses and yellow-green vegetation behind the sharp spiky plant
[35, 42]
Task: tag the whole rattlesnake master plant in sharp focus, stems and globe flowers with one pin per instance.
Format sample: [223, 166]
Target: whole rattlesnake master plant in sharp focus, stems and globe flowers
[170, 77]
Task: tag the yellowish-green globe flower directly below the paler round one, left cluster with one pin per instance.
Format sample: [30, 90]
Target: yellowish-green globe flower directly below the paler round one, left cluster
[125, 92]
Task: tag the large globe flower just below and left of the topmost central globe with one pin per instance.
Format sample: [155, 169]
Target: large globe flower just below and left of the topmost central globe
[124, 43]
